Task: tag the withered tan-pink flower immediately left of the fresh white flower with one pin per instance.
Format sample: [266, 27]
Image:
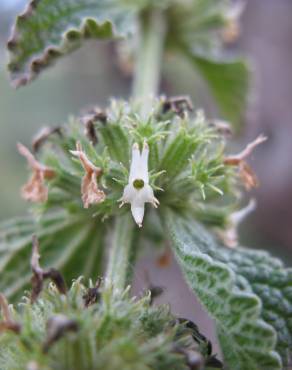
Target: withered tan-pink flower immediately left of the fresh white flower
[90, 192]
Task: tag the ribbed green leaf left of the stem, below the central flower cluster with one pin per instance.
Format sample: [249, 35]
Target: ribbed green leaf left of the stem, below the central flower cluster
[68, 242]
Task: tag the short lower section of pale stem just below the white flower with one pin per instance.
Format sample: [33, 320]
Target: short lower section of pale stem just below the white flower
[119, 256]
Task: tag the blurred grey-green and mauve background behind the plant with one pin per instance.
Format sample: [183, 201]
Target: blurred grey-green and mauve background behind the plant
[91, 75]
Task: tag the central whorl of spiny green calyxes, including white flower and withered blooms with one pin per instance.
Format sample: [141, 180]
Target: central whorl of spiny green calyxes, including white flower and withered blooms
[131, 158]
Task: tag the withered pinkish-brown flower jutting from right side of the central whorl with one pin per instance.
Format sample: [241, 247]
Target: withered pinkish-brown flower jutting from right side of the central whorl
[246, 173]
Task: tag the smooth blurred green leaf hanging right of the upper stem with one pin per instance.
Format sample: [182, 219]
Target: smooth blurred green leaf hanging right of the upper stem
[228, 83]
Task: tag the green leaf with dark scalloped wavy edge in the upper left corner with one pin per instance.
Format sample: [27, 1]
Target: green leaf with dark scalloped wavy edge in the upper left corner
[49, 29]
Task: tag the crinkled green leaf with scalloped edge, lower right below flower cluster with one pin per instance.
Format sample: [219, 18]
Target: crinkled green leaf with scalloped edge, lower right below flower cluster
[247, 340]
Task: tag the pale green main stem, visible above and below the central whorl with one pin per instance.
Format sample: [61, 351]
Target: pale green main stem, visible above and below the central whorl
[145, 86]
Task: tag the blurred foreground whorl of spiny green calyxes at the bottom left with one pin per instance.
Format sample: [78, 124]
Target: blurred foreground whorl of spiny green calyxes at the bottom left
[114, 332]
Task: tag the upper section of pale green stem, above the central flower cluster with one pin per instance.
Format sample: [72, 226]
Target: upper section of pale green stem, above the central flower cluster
[149, 55]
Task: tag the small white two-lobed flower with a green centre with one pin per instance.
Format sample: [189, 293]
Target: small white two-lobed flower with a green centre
[138, 191]
